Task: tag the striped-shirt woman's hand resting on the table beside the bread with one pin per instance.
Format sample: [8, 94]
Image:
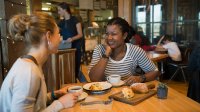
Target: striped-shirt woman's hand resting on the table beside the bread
[133, 79]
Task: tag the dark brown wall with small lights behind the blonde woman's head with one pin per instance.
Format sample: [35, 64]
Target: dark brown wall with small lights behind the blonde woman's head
[10, 50]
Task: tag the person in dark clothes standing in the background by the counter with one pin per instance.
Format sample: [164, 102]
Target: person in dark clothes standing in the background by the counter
[71, 32]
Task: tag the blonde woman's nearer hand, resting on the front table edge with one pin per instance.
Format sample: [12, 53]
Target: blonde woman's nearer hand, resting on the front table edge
[69, 99]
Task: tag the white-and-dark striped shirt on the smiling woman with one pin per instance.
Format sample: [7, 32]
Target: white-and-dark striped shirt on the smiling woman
[126, 67]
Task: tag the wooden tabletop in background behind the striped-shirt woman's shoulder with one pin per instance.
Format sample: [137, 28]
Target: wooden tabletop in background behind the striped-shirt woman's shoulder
[156, 57]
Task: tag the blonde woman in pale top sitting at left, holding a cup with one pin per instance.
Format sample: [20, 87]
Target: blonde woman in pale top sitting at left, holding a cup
[24, 88]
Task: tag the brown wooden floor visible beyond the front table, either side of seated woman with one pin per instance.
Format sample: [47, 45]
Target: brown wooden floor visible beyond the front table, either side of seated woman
[179, 86]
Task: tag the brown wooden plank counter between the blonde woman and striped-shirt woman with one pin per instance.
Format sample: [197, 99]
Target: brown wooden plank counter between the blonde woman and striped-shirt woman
[60, 69]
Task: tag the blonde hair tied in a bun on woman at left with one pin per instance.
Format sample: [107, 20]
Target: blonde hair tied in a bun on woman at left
[31, 28]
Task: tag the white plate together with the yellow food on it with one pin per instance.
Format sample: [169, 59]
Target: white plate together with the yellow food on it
[97, 87]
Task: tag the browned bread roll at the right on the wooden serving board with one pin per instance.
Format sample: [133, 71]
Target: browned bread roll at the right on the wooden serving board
[139, 87]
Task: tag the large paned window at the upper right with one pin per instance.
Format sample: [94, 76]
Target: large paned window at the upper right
[180, 18]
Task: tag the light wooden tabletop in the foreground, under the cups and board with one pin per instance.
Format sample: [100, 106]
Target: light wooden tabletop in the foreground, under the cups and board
[176, 102]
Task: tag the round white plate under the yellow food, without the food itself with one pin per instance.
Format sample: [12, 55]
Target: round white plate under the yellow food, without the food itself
[105, 86]
